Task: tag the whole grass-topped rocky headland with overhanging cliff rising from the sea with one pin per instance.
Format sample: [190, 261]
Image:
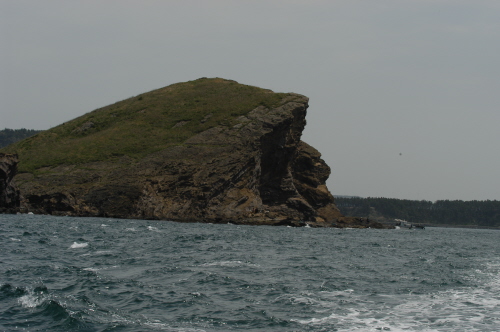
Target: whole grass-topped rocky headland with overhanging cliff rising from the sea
[209, 150]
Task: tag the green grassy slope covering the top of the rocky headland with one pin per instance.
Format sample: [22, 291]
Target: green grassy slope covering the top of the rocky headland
[143, 124]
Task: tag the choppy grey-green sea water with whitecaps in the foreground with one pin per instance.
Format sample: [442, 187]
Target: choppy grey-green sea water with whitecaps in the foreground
[92, 274]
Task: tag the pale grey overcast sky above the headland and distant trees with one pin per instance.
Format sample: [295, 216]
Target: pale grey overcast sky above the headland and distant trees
[404, 95]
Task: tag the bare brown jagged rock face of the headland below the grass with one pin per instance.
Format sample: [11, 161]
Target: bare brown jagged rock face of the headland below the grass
[256, 172]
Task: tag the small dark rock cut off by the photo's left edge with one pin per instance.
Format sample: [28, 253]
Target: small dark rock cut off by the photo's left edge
[9, 194]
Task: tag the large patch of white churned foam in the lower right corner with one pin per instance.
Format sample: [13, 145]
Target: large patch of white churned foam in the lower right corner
[466, 309]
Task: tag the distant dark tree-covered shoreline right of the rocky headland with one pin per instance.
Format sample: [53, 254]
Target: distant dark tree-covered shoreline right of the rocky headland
[445, 212]
